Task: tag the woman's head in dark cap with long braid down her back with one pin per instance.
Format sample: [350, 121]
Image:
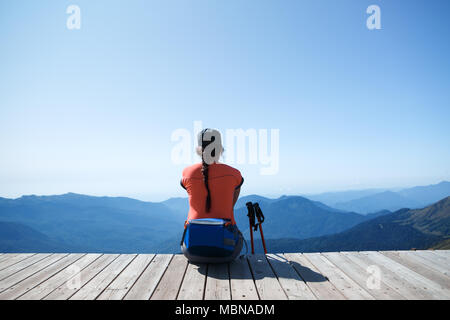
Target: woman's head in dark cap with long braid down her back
[206, 138]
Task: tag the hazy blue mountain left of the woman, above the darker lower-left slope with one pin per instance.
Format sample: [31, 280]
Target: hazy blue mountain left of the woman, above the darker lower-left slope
[101, 224]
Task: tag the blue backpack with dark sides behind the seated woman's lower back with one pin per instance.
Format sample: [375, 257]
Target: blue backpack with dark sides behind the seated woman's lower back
[211, 240]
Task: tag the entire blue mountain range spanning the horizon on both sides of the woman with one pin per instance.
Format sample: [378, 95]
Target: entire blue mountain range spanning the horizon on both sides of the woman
[80, 223]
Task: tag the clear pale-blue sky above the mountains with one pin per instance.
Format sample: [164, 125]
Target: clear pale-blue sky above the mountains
[92, 110]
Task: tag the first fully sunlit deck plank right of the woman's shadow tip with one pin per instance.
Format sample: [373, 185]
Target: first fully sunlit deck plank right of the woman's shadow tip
[349, 288]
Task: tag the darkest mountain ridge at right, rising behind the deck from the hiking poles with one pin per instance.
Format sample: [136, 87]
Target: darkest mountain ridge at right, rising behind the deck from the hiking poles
[402, 230]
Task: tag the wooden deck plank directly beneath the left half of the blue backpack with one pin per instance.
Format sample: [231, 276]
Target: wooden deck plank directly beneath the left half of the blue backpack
[193, 284]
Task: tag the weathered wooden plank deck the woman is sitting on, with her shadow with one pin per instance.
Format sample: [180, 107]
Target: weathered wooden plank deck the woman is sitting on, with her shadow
[335, 275]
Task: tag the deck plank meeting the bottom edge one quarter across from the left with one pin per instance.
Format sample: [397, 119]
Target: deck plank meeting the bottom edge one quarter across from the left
[117, 289]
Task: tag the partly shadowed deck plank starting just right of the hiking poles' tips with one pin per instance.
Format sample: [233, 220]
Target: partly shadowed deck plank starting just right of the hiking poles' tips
[291, 282]
